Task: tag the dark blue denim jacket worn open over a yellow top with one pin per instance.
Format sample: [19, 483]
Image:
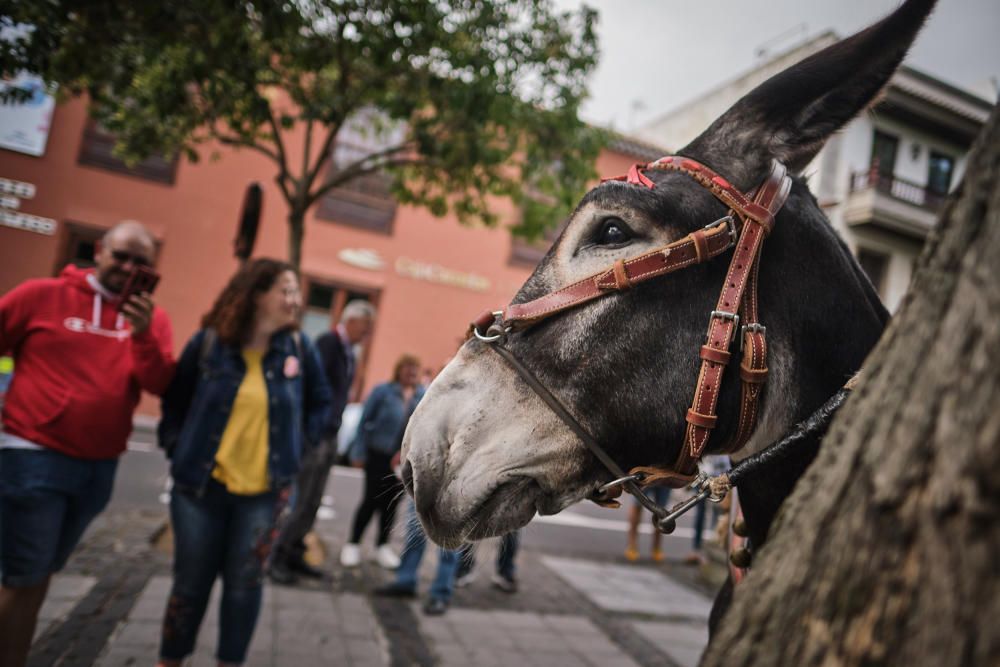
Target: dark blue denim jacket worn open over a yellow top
[197, 405]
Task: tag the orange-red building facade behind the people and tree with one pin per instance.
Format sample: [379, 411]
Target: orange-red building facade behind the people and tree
[428, 276]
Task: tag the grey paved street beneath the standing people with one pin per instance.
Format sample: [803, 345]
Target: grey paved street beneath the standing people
[578, 603]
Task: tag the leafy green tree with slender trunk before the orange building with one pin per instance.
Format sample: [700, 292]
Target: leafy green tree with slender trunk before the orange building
[468, 101]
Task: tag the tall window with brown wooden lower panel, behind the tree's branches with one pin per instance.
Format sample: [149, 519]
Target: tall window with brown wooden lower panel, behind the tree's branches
[365, 201]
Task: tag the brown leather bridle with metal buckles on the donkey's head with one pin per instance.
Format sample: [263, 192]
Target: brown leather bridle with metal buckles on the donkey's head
[737, 301]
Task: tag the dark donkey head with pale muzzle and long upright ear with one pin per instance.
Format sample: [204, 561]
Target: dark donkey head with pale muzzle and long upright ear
[483, 453]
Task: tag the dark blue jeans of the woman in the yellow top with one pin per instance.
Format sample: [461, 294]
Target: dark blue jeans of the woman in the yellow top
[218, 533]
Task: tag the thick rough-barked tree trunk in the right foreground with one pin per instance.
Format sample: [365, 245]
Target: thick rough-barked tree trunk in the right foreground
[886, 553]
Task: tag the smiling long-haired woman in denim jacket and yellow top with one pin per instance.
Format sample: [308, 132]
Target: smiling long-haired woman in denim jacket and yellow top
[248, 397]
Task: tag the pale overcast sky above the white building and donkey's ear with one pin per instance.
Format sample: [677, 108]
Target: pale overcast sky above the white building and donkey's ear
[657, 54]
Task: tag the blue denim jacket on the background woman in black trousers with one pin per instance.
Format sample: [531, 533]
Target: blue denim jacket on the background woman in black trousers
[383, 420]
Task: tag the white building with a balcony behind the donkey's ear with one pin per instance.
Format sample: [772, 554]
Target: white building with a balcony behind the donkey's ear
[882, 179]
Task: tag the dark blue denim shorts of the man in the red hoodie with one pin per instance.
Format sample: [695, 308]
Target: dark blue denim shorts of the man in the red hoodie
[47, 500]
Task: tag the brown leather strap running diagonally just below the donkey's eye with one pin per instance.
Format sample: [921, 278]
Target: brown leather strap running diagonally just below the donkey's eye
[623, 274]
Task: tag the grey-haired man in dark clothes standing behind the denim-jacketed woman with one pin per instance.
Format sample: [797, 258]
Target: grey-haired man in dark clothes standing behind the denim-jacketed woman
[336, 350]
